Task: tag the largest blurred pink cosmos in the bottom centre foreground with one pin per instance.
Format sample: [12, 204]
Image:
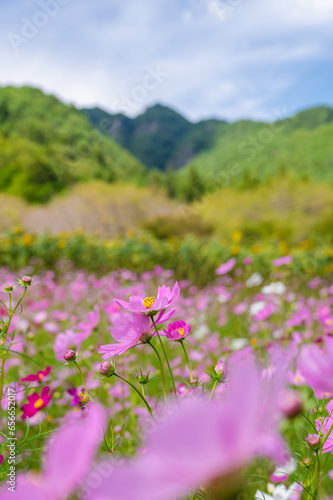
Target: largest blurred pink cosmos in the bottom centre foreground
[203, 444]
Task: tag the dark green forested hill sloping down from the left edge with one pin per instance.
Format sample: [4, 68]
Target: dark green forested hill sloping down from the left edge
[46, 146]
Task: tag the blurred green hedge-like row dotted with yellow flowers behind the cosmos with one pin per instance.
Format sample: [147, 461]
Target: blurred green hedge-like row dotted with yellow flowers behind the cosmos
[190, 257]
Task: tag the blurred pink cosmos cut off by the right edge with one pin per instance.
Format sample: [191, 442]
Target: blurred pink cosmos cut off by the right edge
[316, 365]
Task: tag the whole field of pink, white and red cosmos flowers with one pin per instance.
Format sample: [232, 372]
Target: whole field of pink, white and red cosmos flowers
[142, 387]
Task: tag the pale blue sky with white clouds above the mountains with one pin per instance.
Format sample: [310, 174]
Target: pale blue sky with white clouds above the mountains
[230, 59]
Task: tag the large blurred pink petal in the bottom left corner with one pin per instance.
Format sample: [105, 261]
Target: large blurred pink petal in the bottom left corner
[67, 463]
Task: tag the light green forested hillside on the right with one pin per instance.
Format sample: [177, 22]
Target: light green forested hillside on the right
[249, 153]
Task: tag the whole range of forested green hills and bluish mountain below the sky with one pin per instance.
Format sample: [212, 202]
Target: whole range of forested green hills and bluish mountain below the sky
[46, 146]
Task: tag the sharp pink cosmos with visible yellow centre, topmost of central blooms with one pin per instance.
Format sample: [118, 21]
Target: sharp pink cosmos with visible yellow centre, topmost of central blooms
[151, 305]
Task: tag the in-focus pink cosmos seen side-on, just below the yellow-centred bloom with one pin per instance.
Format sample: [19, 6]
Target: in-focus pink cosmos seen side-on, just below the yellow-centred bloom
[128, 333]
